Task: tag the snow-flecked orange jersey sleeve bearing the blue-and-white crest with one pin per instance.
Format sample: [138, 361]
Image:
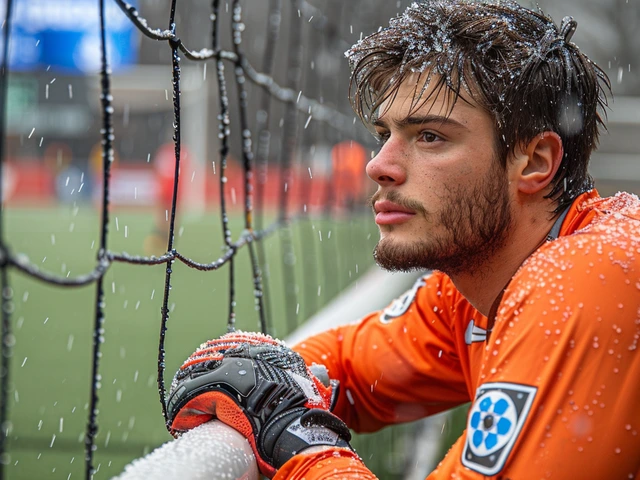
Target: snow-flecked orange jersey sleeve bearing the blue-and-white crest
[559, 385]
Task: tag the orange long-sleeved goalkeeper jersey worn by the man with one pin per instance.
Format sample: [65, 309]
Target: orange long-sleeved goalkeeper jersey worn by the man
[554, 384]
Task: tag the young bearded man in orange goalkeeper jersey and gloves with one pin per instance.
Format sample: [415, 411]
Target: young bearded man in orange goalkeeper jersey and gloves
[487, 116]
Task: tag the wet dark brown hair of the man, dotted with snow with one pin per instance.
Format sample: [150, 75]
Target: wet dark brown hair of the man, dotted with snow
[514, 62]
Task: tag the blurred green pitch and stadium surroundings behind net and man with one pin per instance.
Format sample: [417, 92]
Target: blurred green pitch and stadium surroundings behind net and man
[52, 191]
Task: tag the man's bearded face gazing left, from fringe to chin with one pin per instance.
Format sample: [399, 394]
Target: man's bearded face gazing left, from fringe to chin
[443, 200]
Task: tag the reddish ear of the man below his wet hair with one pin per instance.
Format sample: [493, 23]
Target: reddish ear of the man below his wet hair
[538, 162]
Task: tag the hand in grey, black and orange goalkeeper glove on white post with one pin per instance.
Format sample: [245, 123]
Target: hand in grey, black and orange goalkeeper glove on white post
[262, 389]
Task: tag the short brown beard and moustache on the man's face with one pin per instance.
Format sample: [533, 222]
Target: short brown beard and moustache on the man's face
[475, 223]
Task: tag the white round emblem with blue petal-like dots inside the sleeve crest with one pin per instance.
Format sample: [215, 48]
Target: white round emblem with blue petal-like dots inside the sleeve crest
[492, 423]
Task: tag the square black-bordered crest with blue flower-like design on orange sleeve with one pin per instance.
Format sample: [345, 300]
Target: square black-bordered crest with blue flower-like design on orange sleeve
[495, 421]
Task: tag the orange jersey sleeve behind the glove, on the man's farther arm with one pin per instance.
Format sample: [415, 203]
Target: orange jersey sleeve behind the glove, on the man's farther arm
[396, 365]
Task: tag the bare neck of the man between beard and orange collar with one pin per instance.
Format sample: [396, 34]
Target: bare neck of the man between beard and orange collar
[483, 286]
